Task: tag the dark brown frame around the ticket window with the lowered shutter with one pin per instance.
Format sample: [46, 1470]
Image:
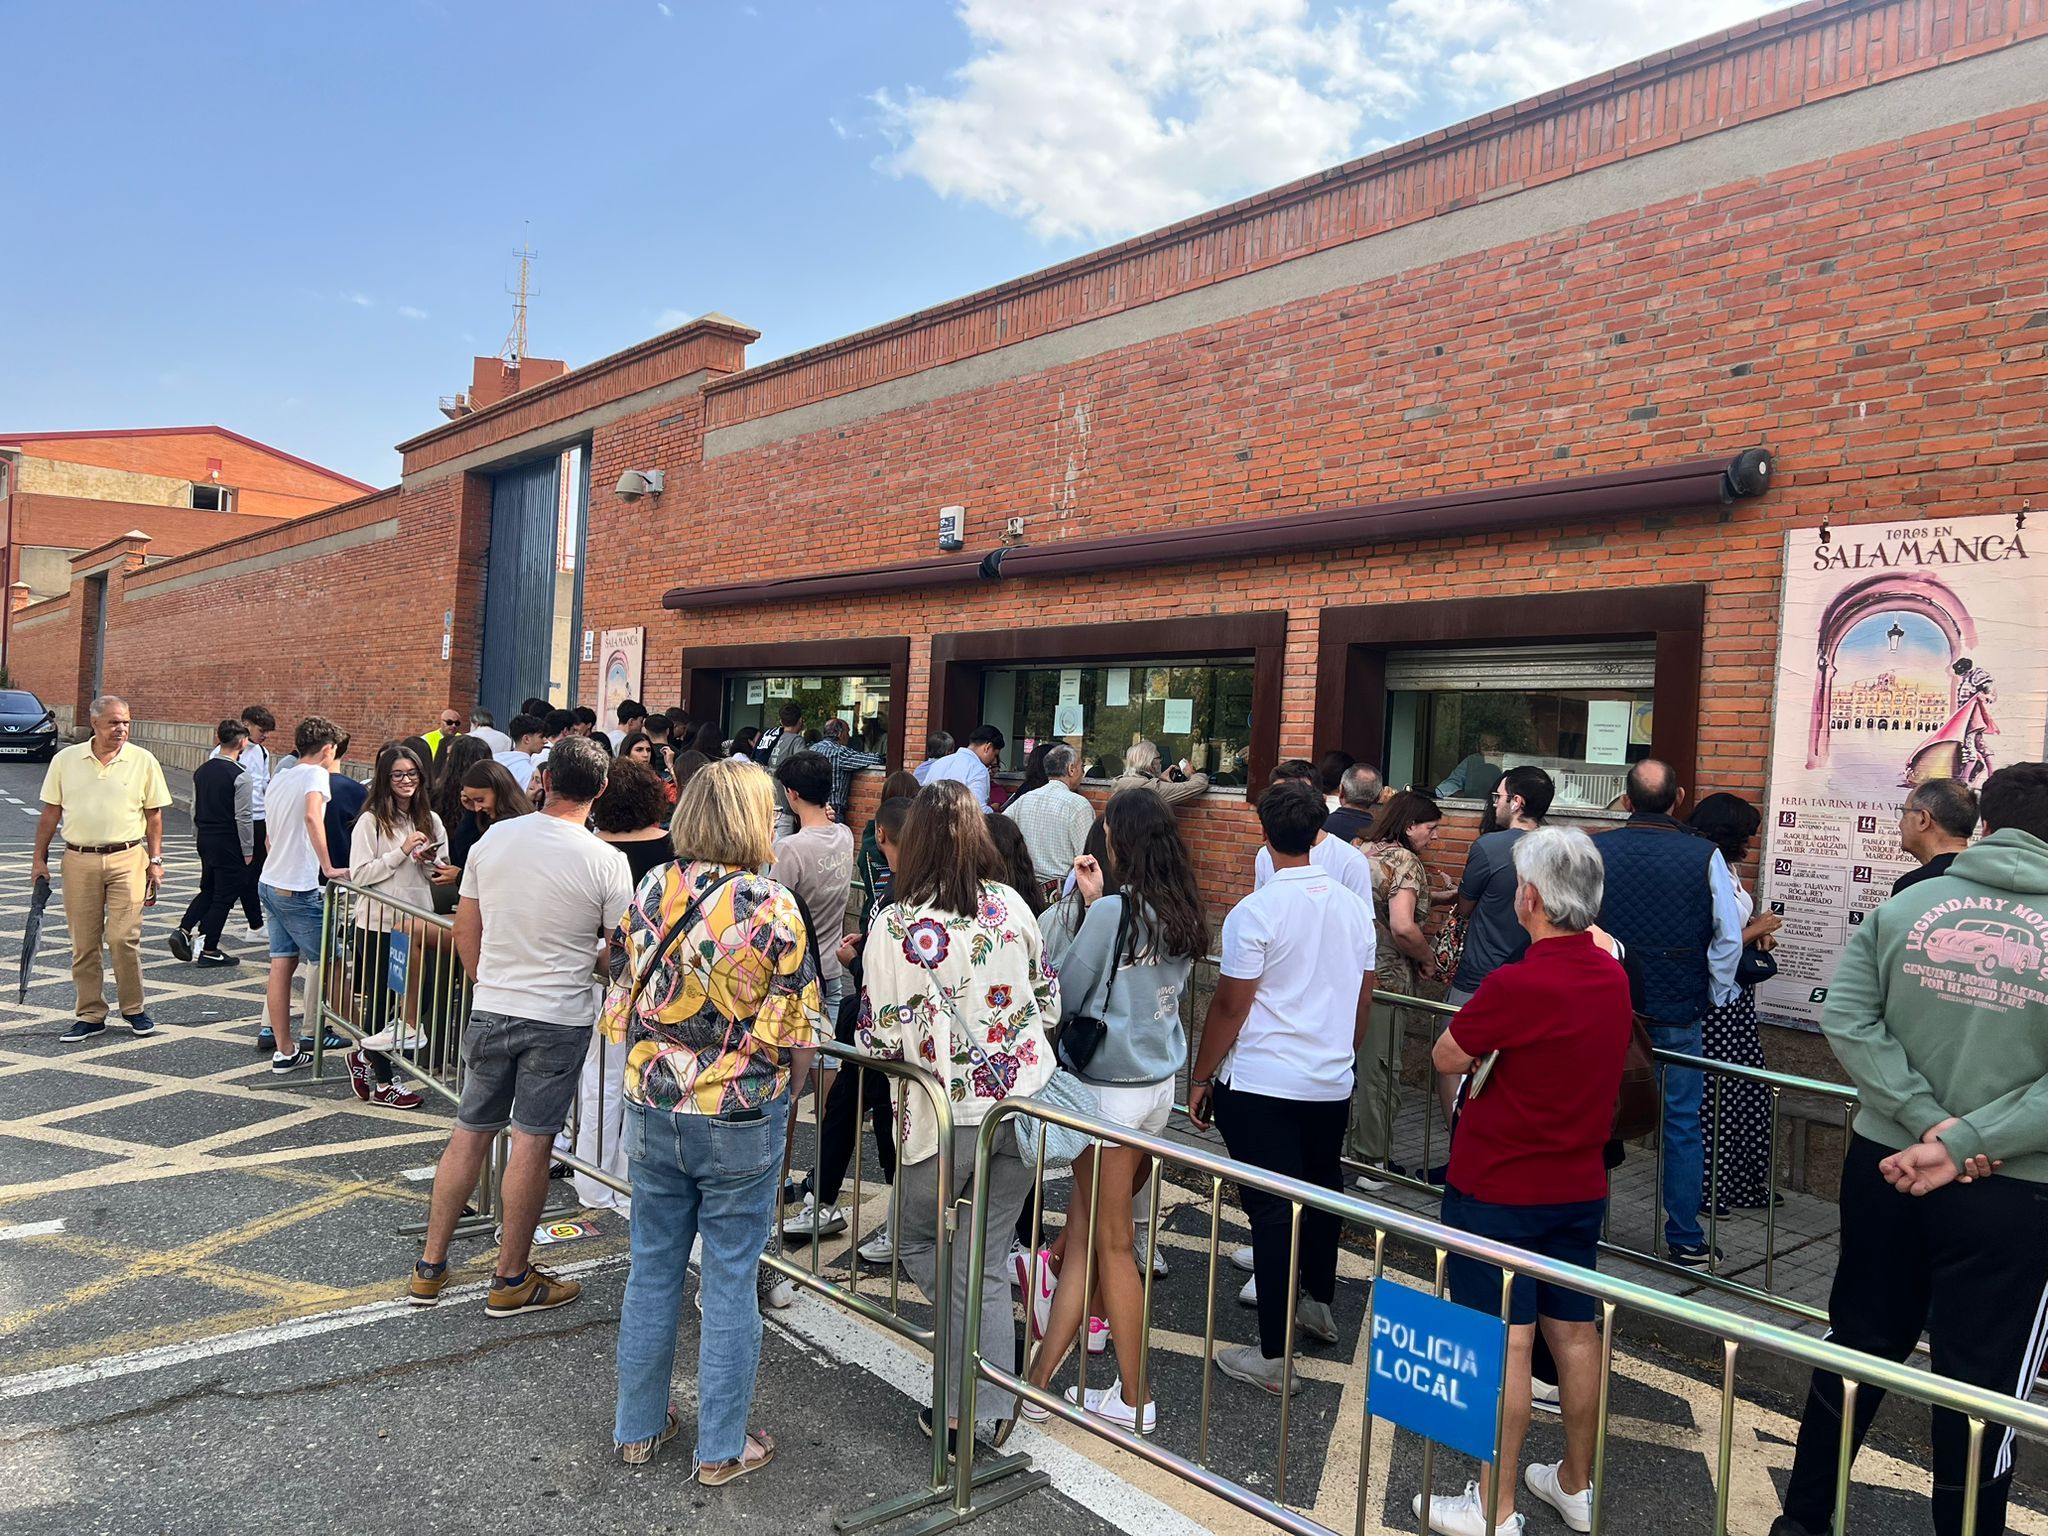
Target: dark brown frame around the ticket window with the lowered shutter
[1355, 642]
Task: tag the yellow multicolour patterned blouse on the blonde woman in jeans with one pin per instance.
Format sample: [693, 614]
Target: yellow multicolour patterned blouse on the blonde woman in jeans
[728, 1002]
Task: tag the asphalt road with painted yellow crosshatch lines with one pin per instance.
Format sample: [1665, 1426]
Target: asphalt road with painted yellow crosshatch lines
[200, 1330]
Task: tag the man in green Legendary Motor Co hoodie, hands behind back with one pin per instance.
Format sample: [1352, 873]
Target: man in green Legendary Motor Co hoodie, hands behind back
[1940, 1017]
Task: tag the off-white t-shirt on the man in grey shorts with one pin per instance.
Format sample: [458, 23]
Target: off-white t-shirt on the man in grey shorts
[550, 894]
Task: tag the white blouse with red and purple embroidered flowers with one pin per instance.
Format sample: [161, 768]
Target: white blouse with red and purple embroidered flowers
[970, 998]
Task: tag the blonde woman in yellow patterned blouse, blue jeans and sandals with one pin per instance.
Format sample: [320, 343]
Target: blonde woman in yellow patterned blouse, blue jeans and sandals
[714, 992]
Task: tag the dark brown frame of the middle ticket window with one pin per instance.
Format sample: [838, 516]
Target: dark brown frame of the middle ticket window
[964, 658]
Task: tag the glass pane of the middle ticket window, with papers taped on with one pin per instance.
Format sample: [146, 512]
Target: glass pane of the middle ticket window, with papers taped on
[1195, 712]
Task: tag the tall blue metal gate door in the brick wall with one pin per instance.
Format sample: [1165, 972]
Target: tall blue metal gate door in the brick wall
[519, 587]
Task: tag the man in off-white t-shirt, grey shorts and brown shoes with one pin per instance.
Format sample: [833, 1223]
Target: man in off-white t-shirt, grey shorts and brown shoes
[540, 896]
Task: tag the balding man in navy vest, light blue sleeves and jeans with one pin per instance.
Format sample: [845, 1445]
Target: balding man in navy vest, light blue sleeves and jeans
[1670, 898]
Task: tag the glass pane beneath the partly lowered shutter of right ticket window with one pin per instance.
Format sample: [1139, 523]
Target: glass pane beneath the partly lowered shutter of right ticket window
[1457, 742]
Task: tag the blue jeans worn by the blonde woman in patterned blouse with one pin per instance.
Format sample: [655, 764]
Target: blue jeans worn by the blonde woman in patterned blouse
[697, 1177]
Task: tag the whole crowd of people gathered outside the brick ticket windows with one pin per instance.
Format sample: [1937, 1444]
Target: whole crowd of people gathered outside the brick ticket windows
[710, 906]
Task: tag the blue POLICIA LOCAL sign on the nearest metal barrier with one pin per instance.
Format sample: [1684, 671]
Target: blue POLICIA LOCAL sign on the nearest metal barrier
[1437, 1367]
